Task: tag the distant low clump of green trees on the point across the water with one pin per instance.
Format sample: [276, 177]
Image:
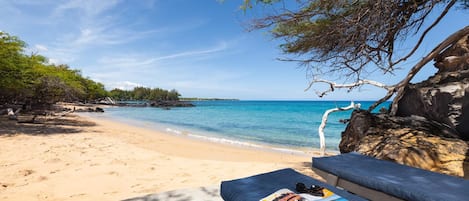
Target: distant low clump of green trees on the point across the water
[144, 93]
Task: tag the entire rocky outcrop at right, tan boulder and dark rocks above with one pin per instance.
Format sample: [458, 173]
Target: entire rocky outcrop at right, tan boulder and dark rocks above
[430, 129]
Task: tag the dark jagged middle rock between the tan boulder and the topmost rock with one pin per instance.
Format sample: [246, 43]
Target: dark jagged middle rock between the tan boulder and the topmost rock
[443, 98]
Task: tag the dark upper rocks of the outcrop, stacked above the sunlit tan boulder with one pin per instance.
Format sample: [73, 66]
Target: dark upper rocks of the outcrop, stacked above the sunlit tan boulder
[443, 97]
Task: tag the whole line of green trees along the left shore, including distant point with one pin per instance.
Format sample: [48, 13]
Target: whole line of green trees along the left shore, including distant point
[31, 80]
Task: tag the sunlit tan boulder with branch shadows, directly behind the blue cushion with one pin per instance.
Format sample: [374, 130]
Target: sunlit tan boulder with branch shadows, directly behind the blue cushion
[413, 141]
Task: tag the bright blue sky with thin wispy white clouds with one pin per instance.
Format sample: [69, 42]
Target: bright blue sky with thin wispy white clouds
[199, 47]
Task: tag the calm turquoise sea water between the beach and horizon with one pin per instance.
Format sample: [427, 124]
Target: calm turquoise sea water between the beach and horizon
[282, 124]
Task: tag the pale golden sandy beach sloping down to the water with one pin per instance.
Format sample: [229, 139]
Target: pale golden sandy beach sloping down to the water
[88, 158]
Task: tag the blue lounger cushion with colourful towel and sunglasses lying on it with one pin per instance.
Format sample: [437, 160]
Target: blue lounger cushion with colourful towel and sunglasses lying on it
[259, 186]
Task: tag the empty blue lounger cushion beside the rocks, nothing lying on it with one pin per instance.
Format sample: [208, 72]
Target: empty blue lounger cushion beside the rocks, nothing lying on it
[401, 181]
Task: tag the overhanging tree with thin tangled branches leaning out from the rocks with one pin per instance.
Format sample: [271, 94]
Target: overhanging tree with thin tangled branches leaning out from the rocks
[353, 38]
